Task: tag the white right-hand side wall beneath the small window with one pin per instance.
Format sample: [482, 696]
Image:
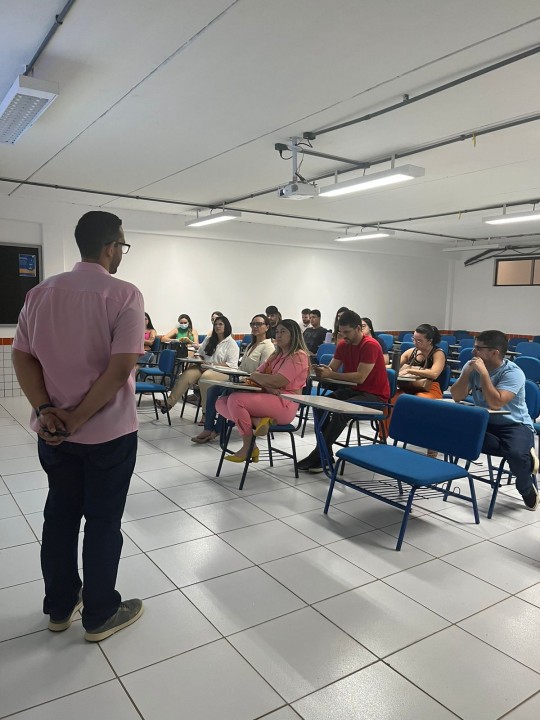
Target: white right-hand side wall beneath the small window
[478, 305]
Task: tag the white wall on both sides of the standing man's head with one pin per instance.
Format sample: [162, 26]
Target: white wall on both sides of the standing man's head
[259, 265]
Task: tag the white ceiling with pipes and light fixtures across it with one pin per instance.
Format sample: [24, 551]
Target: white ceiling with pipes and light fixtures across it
[183, 100]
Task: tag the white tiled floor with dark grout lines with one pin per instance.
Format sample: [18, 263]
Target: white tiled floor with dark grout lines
[258, 605]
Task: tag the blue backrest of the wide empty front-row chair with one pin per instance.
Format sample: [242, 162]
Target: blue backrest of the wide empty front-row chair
[447, 427]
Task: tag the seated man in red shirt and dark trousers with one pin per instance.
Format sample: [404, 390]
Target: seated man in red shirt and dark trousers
[363, 363]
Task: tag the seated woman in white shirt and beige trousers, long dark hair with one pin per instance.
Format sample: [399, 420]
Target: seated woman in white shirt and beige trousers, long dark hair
[219, 349]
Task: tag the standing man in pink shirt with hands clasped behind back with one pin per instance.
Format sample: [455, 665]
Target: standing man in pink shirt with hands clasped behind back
[74, 352]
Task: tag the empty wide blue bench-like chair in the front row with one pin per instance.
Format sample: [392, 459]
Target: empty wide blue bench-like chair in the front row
[455, 430]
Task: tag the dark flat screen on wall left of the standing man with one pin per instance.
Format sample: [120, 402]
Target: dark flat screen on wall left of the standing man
[20, 271]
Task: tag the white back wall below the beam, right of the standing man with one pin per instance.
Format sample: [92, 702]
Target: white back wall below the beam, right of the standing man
[181, 274]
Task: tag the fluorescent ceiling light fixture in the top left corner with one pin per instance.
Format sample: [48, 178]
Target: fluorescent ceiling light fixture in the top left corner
[26, 100]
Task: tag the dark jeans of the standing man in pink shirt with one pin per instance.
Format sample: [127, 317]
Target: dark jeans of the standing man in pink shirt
[90, 481]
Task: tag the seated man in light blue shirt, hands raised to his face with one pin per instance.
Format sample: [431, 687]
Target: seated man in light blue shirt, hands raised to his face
[499, 384]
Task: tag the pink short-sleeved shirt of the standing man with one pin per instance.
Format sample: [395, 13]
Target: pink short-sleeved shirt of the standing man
[72, 323]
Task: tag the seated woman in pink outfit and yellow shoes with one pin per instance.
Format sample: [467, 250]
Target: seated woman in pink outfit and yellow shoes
[285, 371]
